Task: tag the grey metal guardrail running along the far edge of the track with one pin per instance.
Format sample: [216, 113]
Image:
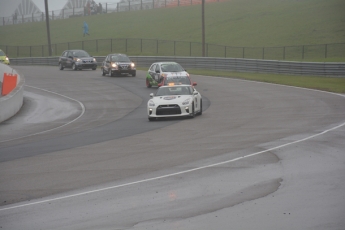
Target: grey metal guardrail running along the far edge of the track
[222, 64]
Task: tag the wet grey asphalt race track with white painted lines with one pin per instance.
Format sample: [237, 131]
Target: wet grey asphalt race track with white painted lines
[81, 154]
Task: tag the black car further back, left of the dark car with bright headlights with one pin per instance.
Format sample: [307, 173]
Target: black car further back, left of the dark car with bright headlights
[77, 59]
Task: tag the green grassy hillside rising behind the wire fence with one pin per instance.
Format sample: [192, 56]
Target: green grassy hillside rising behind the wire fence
[249, 23]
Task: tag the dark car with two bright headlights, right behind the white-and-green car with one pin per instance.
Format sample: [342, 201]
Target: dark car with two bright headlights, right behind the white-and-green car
[116, 64]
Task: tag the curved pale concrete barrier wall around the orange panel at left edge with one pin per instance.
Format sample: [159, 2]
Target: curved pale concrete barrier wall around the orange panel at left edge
[12, 102]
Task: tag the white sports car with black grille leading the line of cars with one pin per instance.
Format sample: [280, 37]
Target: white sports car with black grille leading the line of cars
[173, 101]
